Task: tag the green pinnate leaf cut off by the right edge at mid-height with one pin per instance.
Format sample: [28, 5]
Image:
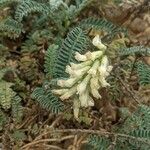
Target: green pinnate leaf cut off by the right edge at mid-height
[143, 71]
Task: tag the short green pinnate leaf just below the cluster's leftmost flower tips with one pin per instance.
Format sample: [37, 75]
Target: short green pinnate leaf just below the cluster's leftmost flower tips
[47, 100]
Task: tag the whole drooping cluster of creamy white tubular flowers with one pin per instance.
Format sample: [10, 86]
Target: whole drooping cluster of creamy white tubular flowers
[86, 78]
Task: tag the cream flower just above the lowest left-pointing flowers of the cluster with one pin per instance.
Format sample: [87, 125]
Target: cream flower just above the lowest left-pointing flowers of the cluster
[67, 83]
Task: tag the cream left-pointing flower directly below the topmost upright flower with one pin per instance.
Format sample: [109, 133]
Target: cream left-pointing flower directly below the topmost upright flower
[94, 55]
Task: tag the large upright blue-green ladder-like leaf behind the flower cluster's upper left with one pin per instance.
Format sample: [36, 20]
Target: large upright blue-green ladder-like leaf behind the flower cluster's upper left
[76, 41]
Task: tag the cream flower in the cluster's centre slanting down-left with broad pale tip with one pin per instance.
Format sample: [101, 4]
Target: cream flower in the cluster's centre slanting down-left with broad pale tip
[83, 85]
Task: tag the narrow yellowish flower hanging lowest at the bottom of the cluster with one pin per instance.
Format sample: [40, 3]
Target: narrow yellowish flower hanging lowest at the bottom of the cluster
[76, 108]
